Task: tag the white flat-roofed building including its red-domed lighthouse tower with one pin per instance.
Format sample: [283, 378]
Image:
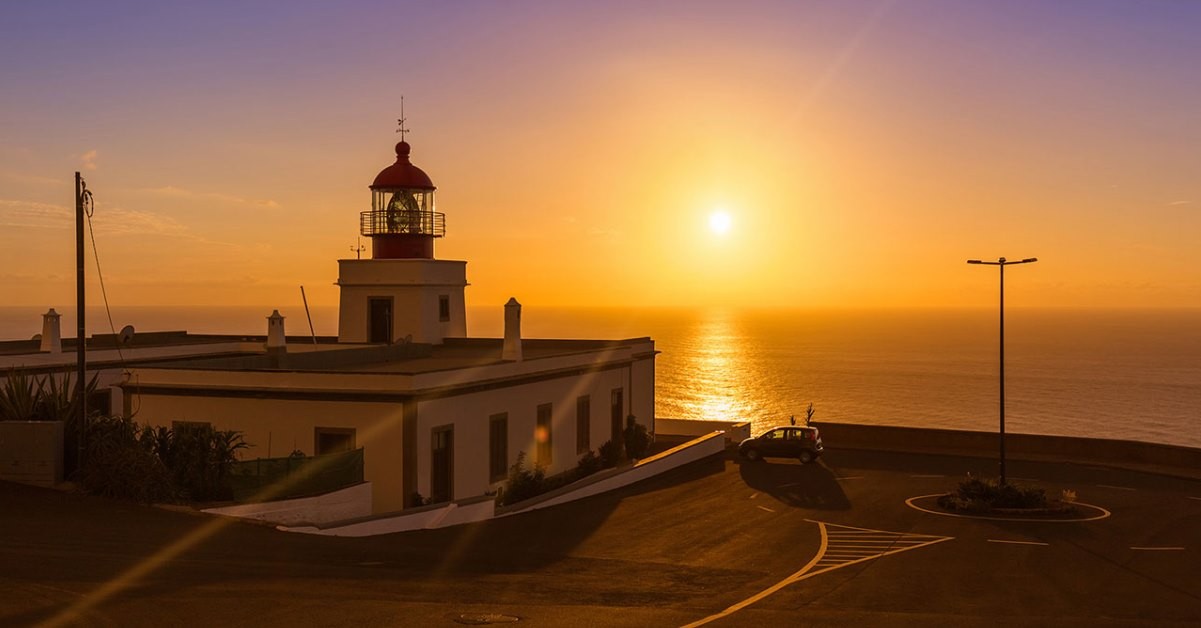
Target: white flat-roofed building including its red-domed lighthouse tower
[439, 415]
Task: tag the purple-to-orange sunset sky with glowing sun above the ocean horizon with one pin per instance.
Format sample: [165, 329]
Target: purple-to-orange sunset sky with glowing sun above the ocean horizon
[861, 152]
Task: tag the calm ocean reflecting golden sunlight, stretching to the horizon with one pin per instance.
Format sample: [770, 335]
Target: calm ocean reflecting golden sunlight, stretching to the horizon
[1107, 374]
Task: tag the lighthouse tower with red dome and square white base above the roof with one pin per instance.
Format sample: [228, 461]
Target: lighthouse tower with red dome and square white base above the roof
[402, 292]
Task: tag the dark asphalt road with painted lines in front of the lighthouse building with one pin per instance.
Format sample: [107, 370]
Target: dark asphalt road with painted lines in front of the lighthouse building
[718, 542]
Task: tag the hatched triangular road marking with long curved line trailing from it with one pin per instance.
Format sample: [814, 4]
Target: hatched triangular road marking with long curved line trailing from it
[820, 565]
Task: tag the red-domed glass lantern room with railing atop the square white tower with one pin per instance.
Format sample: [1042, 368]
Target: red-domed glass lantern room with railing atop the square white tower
[403, 223]
